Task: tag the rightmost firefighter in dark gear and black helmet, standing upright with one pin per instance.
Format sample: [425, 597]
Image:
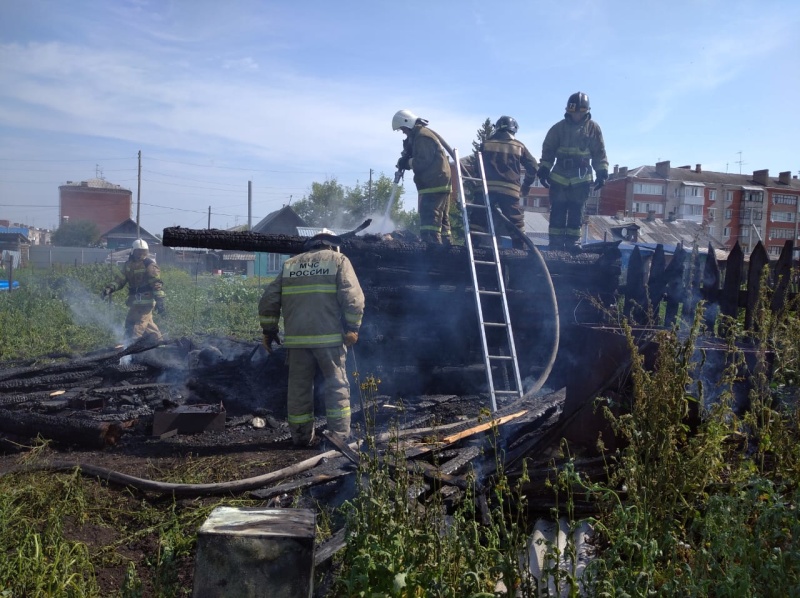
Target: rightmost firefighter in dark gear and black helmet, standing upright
[571, 149]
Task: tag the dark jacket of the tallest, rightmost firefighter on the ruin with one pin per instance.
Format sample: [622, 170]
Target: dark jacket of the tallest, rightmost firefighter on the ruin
[570, 148]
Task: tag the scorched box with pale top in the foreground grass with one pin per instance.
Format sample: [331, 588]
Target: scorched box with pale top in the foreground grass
[252, 552]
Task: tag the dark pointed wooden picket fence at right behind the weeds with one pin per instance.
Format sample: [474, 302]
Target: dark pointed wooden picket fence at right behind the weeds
[678, 286]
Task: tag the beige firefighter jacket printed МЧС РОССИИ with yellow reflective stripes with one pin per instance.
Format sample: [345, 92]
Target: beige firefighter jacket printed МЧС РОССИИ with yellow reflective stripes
[320, 297]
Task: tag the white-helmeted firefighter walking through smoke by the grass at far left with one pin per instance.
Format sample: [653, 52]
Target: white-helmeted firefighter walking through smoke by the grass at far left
[145, 291]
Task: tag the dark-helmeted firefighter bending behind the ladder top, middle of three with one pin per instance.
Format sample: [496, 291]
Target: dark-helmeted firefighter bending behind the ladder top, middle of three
[504, 157]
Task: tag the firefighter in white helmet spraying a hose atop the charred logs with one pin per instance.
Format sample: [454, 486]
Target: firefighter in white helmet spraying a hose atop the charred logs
[424, 153]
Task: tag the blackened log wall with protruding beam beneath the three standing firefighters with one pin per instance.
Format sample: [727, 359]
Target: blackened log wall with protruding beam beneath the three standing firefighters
[420, 312]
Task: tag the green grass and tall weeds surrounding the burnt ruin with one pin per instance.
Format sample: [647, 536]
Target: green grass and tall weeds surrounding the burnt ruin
[699, 501]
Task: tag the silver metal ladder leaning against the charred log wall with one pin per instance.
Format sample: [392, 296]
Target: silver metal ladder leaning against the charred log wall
[497, 337]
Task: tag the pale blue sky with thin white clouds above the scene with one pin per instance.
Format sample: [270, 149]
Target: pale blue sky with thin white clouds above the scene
[216, 94]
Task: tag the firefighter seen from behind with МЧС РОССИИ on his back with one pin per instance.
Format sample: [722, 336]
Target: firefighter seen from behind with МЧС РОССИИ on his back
[322, 304]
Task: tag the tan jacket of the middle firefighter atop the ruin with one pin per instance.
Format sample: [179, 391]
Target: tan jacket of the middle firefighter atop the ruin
[503, 159]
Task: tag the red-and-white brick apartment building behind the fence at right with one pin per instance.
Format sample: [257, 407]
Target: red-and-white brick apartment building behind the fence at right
[732, 207]
